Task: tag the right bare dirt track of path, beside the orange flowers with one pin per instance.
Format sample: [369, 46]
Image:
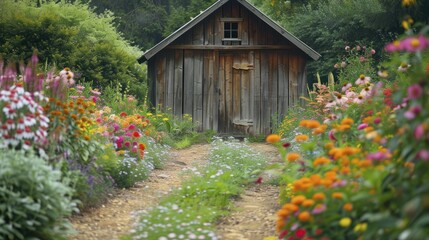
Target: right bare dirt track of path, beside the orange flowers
[255, 211]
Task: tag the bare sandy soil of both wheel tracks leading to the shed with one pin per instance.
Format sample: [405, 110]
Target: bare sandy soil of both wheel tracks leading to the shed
[253, 217]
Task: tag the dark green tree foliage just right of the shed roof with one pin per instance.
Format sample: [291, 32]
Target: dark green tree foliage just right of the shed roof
[329, 26]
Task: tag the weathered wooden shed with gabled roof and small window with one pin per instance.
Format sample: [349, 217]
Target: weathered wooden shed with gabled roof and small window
[231, 68]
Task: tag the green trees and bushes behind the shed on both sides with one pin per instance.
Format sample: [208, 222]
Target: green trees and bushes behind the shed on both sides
[102, 39]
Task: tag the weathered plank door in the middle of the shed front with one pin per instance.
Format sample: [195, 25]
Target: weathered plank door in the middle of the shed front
[235, 92]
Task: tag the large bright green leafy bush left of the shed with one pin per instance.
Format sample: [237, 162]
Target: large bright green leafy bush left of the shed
[70, 35]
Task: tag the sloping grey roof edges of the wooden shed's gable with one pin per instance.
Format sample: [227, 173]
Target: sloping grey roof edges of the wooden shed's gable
[179, 32]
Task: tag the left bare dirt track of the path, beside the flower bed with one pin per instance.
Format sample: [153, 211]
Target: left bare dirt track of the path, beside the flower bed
[115, 218]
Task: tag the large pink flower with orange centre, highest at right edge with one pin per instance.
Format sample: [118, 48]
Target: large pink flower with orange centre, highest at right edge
[409, 44]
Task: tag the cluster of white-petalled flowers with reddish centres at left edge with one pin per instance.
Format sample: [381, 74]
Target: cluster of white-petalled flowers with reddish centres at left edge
[22, 122]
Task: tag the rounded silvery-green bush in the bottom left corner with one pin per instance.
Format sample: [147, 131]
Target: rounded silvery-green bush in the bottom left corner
[34, 198]
